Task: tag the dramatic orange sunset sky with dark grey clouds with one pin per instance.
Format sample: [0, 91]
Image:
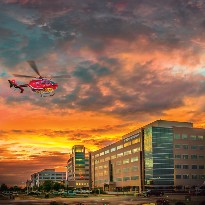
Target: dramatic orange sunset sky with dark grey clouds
[131, 62]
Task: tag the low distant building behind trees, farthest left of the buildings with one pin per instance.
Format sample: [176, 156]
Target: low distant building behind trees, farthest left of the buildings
[39, 178]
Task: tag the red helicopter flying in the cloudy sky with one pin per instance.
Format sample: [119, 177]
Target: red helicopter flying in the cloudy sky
[41, 85]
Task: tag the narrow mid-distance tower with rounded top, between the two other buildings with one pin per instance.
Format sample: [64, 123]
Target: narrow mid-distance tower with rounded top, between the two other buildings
[78, 168]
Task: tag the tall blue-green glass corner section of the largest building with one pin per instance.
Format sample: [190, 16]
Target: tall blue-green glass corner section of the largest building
[159, 160]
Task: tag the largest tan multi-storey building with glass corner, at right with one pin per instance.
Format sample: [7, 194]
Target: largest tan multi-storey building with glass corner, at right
[163, 154]
